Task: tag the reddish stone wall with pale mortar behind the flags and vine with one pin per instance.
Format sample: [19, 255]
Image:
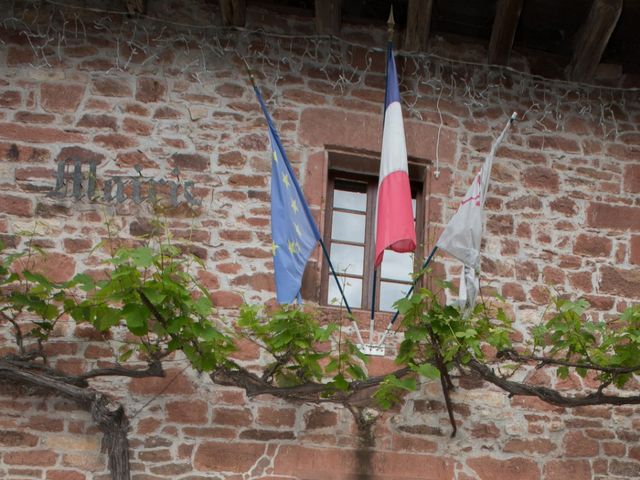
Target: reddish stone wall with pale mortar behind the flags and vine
[563, 218]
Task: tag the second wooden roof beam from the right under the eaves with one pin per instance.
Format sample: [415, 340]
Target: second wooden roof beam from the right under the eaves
[504, 31]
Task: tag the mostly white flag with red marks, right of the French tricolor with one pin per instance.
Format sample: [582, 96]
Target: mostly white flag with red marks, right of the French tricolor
[462, 236]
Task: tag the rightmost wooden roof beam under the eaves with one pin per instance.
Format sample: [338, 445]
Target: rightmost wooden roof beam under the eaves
[592, 39]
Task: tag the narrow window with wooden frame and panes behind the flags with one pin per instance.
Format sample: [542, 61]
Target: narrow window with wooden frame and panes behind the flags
[350, 236]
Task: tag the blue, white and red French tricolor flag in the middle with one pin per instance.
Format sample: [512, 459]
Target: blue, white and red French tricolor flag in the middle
[394, 223]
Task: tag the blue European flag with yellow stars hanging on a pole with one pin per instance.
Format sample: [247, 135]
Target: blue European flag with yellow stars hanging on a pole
[294, 233]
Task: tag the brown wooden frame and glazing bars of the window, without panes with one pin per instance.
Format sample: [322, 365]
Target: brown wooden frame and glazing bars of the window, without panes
[360, 169]
